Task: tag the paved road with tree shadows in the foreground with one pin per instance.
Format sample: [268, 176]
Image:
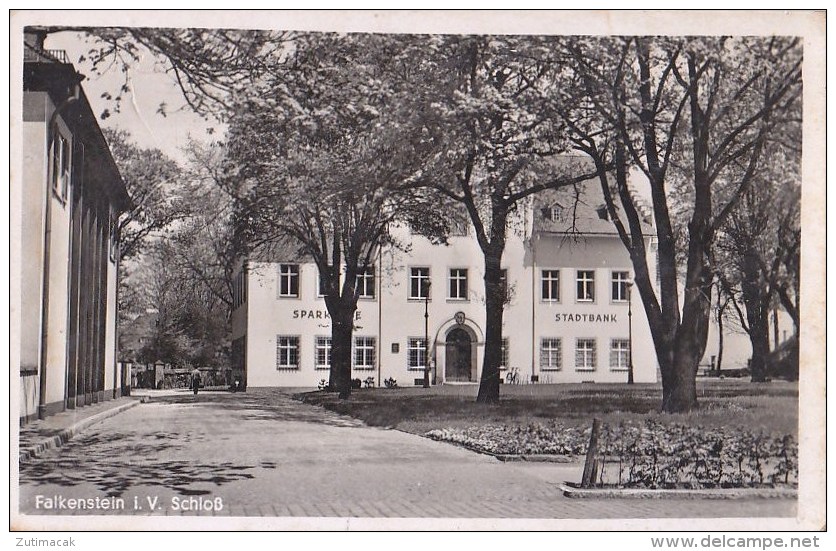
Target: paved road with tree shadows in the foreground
[264, 454]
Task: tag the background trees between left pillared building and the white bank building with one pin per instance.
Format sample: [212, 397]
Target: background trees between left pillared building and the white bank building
[180, 288]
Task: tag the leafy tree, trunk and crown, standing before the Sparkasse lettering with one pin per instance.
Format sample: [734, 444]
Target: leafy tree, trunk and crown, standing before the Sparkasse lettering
[322, 162]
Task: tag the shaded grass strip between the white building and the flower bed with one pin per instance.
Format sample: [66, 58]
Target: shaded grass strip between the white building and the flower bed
[767, 407]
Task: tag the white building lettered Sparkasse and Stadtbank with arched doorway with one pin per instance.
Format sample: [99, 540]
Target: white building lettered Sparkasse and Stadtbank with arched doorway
[566, 319]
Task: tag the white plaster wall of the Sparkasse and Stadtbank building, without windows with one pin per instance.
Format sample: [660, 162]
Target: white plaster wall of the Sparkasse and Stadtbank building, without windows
[403, 318]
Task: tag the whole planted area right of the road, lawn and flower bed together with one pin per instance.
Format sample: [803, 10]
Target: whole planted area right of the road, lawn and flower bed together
[742, 435]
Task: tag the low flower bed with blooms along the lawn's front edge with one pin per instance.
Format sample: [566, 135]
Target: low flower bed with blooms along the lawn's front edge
[650, 454]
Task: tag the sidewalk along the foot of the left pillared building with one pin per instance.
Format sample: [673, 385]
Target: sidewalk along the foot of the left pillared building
[44, 434]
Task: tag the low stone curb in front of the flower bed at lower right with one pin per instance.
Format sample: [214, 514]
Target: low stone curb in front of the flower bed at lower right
[633, 493]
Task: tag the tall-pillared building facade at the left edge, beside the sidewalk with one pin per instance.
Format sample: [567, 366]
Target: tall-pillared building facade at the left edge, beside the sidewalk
[72, 196]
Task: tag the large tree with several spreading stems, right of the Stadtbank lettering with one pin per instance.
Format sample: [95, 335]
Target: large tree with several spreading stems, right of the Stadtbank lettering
[694, 115]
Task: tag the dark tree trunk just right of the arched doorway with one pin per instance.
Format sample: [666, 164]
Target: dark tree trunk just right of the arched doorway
[495, 294]
